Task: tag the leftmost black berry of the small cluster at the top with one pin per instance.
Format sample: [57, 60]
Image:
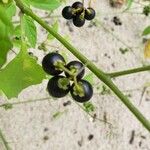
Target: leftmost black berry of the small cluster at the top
[67, 12]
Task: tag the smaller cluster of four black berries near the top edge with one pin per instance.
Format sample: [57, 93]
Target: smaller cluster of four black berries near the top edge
[78, 13]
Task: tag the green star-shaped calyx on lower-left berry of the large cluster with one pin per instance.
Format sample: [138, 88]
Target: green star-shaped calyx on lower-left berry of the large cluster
[63, 83]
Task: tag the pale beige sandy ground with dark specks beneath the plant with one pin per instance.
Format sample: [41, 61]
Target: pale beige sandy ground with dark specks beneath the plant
[32, 126]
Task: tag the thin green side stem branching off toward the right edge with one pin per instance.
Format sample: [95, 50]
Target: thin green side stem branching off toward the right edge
[130, 71]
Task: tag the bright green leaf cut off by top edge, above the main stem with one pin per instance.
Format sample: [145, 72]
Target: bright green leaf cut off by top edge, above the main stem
[46, 4]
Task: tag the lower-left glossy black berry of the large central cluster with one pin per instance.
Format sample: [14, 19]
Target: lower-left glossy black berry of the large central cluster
[54, 88]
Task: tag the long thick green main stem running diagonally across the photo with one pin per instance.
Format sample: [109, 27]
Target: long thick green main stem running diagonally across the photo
[99, 73]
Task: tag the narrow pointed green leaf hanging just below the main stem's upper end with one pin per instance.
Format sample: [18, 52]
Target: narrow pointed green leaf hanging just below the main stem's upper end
[30, 30]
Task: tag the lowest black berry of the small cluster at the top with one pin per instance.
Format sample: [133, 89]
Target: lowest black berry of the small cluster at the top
[78, 21]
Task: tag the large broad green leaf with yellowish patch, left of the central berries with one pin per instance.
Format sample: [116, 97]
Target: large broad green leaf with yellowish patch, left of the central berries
[22, 72]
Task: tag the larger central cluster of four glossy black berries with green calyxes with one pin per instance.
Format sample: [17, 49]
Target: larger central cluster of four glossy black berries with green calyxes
[59, 85]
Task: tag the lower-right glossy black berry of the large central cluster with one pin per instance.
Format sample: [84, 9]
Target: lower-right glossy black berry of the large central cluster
[87, 91]
